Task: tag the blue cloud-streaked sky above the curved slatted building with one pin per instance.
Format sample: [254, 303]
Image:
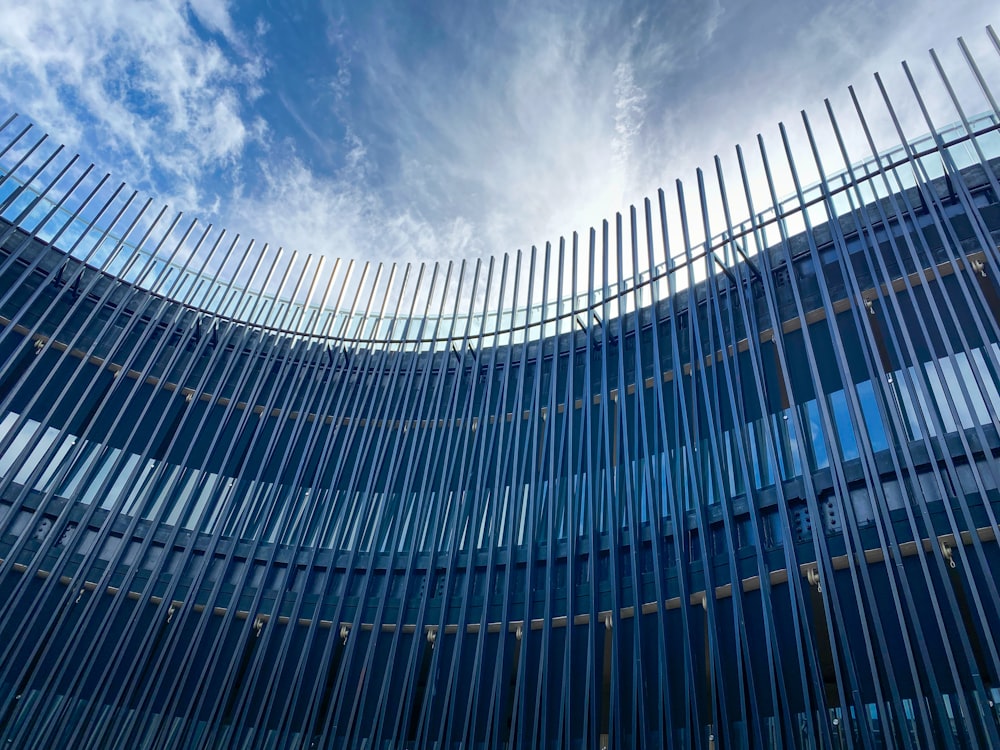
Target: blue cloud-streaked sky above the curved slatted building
[426, 130]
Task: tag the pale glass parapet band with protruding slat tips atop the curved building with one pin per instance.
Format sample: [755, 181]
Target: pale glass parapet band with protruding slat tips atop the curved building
[297, 297]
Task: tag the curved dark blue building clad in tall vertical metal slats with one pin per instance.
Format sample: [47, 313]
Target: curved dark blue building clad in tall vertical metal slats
[739, 491]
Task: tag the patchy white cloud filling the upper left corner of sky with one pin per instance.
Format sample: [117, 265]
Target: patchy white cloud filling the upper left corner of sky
[136, 85]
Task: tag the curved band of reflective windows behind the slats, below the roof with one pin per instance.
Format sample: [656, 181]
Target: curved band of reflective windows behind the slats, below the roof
[196, 499]
